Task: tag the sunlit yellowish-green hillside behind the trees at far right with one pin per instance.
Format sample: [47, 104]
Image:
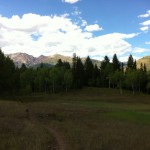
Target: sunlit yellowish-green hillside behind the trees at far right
[145, 60]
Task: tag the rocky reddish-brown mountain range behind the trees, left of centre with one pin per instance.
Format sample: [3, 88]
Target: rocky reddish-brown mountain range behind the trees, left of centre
[31, 61]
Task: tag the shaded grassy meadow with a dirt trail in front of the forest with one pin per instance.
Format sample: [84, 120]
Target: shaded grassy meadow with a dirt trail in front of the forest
[86, 119]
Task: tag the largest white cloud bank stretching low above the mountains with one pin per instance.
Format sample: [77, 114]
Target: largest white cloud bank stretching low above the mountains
[48, 35]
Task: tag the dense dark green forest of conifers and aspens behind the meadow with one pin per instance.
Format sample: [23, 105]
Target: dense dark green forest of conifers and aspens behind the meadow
[64, 76]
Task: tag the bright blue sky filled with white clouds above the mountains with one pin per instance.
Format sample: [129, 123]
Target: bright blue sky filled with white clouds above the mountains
[85, 27]
